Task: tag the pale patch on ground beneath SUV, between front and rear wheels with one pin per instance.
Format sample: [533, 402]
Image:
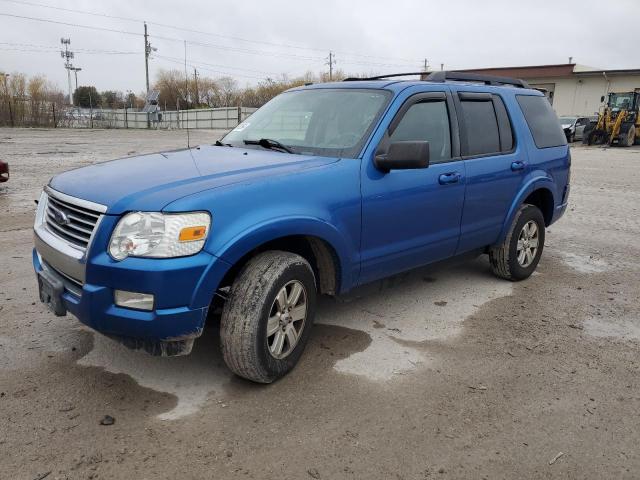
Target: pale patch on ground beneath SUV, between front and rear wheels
[420, 308]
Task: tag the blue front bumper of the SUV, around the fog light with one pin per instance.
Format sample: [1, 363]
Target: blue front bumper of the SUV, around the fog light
[182, 287]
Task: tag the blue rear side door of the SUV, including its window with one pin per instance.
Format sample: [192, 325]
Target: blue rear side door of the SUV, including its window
[495, 165]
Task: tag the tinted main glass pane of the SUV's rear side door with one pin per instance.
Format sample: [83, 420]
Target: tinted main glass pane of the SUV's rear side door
[481, 127]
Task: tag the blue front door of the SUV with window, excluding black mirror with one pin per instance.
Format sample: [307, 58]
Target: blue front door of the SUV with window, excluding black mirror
[412, 217]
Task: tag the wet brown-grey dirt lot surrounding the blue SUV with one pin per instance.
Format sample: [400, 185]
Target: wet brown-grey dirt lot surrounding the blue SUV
[446, 373]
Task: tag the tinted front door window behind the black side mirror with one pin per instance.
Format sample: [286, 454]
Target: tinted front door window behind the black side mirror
[426, 121]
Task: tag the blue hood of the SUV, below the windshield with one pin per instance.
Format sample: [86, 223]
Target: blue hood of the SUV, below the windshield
[149, 182]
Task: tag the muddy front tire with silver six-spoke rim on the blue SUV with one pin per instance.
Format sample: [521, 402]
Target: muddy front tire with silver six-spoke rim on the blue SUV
[254, 298]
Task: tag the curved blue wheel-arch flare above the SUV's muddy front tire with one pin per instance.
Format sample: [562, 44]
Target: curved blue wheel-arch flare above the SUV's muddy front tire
[247, 240]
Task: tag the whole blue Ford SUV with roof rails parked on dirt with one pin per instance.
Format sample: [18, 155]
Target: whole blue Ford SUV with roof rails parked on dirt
[324, 188]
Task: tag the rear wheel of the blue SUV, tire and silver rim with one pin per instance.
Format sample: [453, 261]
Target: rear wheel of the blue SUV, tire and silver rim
[505, 259]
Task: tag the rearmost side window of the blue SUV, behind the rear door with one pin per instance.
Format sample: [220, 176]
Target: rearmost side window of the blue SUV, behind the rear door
[542, 121]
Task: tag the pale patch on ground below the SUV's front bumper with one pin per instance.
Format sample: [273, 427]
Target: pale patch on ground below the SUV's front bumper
[192, 378]
